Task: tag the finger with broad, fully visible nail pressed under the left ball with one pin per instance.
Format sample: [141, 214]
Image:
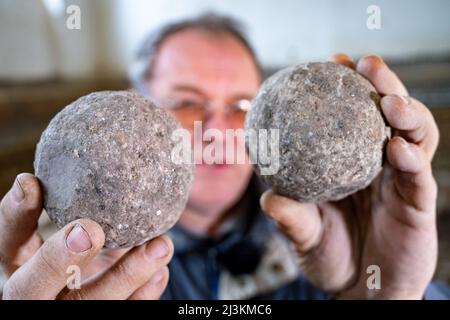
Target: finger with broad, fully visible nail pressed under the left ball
[45, 275]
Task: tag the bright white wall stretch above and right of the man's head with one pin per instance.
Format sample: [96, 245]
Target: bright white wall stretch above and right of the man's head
[289, 31]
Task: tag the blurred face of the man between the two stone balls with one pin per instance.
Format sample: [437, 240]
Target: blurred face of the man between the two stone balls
[193, 66]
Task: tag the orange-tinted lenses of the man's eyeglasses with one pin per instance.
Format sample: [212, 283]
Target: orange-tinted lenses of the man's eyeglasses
[189, 110]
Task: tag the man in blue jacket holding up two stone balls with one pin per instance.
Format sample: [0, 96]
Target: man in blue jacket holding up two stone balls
[225, 246]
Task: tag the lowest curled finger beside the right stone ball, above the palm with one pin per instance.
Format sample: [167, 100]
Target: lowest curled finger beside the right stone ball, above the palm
[413, 177]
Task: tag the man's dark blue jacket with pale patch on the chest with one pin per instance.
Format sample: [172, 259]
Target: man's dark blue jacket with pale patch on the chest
[252, 260]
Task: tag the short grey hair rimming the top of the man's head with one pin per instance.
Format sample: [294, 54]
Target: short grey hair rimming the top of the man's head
[140, 70]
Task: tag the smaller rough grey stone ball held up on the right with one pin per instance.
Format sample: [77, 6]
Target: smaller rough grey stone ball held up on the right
[332, 132]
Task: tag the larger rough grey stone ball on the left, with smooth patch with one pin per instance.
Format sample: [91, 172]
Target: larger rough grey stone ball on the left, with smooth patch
[107, 157]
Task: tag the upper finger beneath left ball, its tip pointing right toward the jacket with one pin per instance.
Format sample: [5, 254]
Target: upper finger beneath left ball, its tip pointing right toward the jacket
[128, 274]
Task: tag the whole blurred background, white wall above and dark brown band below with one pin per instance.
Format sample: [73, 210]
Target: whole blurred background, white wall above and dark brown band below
[44, 65]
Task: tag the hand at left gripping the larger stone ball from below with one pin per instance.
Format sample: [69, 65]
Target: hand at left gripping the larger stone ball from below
[39, 270]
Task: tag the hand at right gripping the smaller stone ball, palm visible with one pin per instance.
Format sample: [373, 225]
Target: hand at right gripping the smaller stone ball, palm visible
[391, 224]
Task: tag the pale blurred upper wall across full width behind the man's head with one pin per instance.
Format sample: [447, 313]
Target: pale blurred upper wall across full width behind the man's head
[282, 31]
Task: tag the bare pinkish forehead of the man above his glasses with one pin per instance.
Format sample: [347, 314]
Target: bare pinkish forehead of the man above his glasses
[199, 56]
